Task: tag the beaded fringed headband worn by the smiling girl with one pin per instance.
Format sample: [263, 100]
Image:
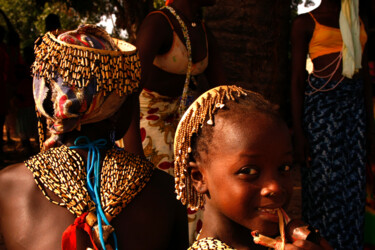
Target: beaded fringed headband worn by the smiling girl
[194, 118]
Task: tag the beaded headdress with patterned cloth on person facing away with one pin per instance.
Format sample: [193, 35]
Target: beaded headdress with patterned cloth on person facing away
[81, 76]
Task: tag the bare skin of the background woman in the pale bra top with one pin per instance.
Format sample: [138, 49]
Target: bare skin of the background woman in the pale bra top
[155, 37]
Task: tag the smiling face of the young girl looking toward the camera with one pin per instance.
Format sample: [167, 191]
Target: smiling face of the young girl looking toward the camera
[247, 171]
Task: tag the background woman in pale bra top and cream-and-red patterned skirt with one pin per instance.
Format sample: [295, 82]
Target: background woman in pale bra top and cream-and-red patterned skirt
[175, 49]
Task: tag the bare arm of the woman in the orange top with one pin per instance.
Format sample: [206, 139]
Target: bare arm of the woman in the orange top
[302, 30]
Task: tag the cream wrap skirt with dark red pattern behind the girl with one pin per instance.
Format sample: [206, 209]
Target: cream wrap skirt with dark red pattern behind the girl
[158, 121]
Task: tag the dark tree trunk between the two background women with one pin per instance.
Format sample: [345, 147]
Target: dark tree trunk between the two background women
[254, 38]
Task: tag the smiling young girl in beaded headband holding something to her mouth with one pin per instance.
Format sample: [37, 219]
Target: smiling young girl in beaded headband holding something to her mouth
[233, 156]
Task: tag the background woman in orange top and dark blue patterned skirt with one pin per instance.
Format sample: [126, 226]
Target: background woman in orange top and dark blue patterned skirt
[329, 118]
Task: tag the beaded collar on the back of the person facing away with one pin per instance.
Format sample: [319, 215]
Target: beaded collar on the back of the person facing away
[62, 170]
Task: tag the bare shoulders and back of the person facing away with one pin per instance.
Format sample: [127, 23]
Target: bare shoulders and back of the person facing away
[29, 221]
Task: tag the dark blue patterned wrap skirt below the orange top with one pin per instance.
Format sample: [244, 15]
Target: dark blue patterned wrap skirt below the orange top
[333, 187]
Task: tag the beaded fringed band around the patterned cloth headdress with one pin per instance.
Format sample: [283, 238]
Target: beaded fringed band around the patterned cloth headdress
[77, 65]
